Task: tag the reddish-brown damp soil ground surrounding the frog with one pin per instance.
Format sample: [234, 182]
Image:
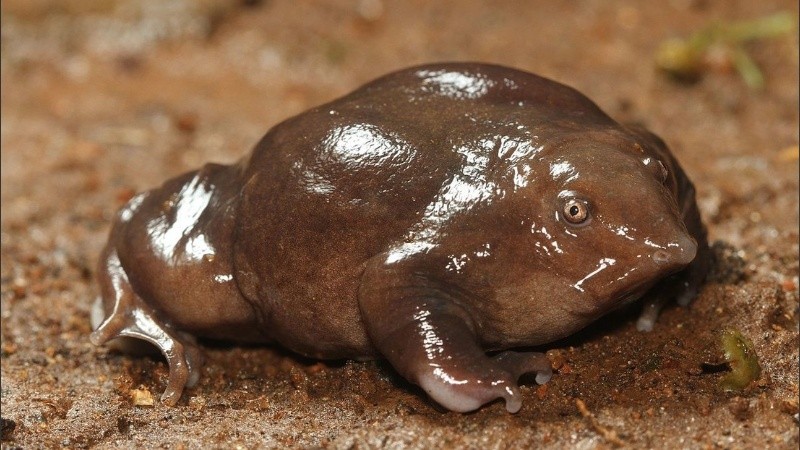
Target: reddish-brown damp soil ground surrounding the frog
[103, 98]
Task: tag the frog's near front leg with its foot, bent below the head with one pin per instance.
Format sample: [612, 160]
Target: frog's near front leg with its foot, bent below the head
[431, 340]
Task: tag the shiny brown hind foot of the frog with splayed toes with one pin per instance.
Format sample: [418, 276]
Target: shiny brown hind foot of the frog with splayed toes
[131, 317]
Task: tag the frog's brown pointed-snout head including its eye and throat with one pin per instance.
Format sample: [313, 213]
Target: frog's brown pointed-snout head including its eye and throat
[601, 226]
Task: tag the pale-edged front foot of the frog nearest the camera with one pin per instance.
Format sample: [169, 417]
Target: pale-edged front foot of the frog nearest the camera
[496, 378]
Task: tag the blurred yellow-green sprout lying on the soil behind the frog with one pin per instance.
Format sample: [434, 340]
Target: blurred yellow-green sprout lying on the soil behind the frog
[686, 59]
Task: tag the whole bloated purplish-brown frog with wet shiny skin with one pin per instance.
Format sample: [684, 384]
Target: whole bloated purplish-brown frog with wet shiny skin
[430, 216]
